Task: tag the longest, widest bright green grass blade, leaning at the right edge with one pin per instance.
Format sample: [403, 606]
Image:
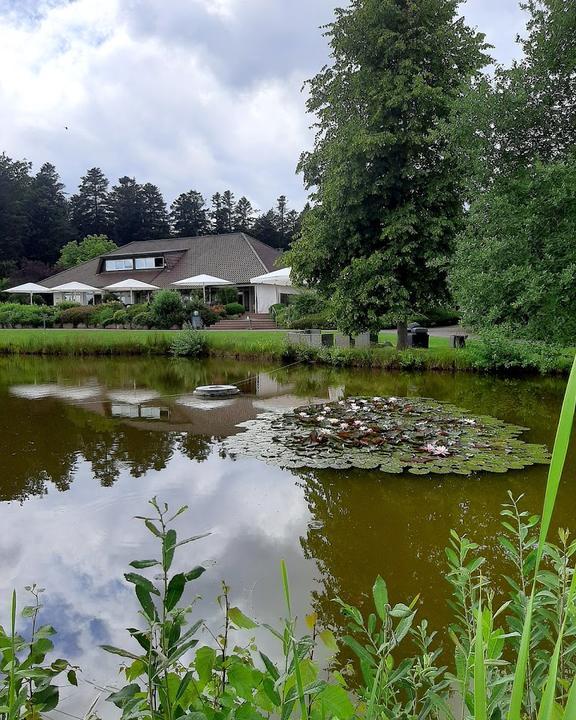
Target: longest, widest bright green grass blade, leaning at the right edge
[561, 443]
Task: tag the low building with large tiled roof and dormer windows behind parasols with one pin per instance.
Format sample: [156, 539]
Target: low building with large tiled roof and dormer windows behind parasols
[235, 257]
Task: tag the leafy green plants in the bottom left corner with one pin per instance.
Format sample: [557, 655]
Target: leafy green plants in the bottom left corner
[28, 686]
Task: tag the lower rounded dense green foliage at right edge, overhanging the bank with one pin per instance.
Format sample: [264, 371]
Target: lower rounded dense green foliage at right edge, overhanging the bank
[516, 261]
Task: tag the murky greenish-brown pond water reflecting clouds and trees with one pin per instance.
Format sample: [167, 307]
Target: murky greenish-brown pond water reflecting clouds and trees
[86, 442]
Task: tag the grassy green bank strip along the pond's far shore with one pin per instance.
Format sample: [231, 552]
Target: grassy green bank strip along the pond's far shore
[490, 353]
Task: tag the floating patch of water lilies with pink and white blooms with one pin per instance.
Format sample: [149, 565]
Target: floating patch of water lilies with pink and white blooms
[392, 434]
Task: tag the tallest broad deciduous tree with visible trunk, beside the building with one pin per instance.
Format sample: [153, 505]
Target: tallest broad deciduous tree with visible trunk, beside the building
[385, 181]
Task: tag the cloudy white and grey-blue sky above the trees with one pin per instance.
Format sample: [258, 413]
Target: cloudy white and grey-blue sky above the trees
[202, 94]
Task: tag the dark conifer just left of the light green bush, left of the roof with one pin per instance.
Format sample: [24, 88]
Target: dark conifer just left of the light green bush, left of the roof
[48, 225]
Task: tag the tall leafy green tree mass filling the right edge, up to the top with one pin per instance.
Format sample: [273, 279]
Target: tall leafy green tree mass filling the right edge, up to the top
[515, 261]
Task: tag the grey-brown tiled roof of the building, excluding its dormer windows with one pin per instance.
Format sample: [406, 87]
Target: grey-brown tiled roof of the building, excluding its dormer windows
[236, 257]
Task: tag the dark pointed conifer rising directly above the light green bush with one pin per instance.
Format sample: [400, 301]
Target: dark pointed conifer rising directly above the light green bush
[90, 213]
